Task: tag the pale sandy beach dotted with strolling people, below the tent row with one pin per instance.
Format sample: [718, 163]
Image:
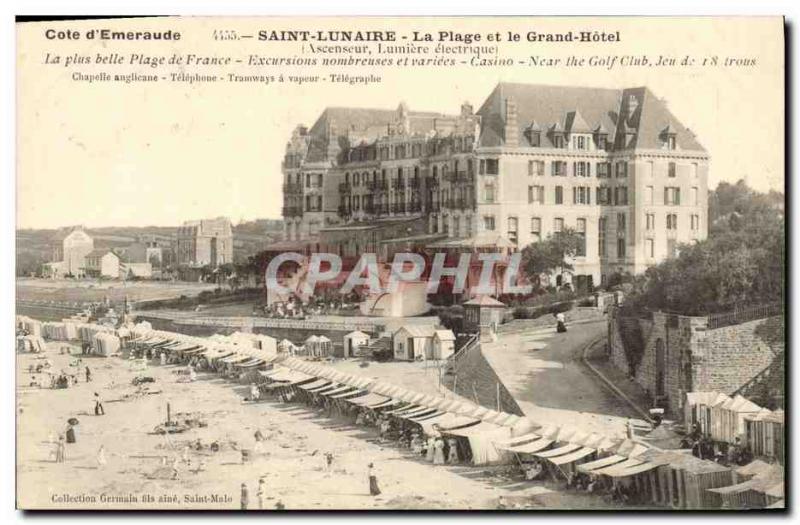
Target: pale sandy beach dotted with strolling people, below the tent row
[138, 467]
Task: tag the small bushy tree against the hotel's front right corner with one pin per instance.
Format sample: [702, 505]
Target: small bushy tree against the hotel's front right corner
[552, 254]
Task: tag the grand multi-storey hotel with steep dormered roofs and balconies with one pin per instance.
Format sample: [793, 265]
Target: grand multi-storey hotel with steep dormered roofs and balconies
[614, 165]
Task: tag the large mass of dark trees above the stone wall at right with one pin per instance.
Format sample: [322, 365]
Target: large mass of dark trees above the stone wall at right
[741, 263]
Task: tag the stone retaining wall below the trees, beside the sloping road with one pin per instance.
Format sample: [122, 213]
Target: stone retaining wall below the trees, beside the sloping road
[695, 359]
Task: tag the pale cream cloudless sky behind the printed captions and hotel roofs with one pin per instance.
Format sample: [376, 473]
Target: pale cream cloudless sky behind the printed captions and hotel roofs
[116, 154]
